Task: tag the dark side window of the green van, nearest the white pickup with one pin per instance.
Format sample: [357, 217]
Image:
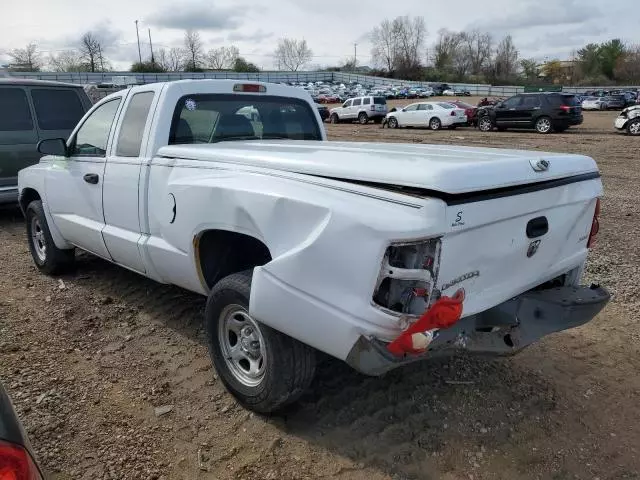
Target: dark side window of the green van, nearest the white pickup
[57, 109]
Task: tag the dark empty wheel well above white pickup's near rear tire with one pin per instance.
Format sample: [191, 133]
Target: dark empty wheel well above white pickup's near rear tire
[220, 253]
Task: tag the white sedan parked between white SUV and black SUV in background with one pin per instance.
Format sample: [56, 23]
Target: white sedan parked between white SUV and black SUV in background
[434, 115]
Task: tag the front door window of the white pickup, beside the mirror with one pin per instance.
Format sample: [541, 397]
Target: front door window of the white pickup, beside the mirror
[91, 139]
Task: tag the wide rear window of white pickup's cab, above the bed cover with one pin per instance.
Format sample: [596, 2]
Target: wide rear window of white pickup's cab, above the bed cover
[210, 118]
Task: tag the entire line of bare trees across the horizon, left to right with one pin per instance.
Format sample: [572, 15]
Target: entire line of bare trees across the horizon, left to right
[399, 50]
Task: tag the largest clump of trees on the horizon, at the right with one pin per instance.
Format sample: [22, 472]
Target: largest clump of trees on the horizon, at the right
[400, 50]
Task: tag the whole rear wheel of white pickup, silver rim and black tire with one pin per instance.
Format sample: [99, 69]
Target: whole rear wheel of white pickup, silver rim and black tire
[262, 368]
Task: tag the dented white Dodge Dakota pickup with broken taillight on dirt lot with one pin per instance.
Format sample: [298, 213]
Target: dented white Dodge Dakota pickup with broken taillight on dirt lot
[302, 244]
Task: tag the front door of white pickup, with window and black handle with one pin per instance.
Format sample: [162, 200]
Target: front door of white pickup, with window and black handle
[74, 184]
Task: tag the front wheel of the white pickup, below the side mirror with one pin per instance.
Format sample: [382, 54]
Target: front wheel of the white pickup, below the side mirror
[48, 258]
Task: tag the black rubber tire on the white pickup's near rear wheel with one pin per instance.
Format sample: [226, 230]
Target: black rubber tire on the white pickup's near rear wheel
[289, 365]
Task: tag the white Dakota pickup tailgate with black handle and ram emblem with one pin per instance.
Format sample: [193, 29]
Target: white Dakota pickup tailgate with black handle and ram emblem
[488, 251]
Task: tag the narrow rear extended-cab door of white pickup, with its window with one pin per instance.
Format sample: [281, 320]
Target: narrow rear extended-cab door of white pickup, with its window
[122, 230]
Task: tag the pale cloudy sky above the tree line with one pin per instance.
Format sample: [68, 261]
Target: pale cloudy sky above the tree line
[542, 30]
